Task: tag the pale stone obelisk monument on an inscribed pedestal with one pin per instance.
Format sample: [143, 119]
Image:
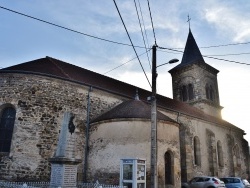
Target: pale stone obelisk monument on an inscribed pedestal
[63, 164]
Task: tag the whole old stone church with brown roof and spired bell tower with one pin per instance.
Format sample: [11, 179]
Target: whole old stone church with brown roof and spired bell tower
[113, 121]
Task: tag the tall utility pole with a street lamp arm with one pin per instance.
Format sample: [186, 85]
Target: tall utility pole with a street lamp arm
[153, 162]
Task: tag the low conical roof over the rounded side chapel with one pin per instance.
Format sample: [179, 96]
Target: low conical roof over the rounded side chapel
[131, 109]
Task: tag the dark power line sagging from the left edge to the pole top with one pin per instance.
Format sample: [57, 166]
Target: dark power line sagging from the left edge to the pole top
[72, 30]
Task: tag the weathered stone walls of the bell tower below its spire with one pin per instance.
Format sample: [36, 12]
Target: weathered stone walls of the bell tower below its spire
[199, 77]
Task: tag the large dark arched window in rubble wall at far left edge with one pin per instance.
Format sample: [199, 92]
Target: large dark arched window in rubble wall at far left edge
[6, 128]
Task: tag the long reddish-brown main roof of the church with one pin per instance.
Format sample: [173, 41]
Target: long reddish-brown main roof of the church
[52, 67]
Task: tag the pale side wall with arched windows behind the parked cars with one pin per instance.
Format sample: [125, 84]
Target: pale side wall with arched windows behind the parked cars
[209, 134]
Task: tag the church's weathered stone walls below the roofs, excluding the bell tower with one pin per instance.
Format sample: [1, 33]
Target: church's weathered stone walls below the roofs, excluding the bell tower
[40, 103]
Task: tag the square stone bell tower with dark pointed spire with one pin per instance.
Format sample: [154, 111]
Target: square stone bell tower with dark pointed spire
[195, 82]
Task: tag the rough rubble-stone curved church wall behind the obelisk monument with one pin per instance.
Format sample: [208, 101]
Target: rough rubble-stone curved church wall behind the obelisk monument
[40, 103]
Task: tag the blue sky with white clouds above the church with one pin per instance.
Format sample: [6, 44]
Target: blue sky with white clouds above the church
[94, 28]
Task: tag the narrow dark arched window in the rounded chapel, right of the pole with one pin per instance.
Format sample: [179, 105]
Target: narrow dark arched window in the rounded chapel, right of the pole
[169, 168]
